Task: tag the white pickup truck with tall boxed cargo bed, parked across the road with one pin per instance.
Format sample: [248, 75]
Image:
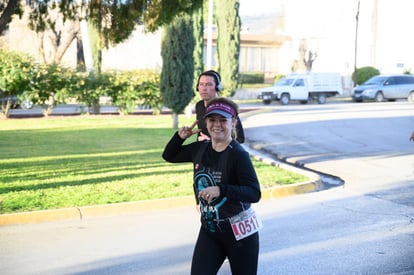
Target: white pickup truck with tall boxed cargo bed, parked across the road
[302, 88]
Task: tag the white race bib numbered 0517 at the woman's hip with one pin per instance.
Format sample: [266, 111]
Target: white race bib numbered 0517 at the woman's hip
[245, 224]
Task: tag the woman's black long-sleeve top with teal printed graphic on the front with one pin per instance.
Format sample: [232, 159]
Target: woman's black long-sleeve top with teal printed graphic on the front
[231, 170]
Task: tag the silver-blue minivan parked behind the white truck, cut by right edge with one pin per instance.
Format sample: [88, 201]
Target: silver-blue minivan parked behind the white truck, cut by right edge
[385, 87]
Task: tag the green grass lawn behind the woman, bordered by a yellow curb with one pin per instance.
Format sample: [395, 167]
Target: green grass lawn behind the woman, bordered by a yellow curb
[56, 162]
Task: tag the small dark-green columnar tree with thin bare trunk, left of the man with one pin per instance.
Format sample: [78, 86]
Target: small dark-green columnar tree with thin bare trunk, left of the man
[176, 80]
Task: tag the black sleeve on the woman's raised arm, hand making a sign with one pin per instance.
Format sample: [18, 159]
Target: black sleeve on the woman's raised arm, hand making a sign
[176, 152]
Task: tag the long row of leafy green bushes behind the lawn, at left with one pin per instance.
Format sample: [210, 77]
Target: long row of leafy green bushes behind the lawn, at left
[48, 85]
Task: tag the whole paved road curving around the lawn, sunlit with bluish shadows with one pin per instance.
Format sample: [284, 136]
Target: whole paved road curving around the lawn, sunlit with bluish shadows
[363, 227]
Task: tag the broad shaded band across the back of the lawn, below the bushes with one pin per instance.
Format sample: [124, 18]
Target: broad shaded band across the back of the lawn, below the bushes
[61, 142]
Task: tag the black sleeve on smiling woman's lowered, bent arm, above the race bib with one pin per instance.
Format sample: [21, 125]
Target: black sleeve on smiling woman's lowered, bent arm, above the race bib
[244, 185]
